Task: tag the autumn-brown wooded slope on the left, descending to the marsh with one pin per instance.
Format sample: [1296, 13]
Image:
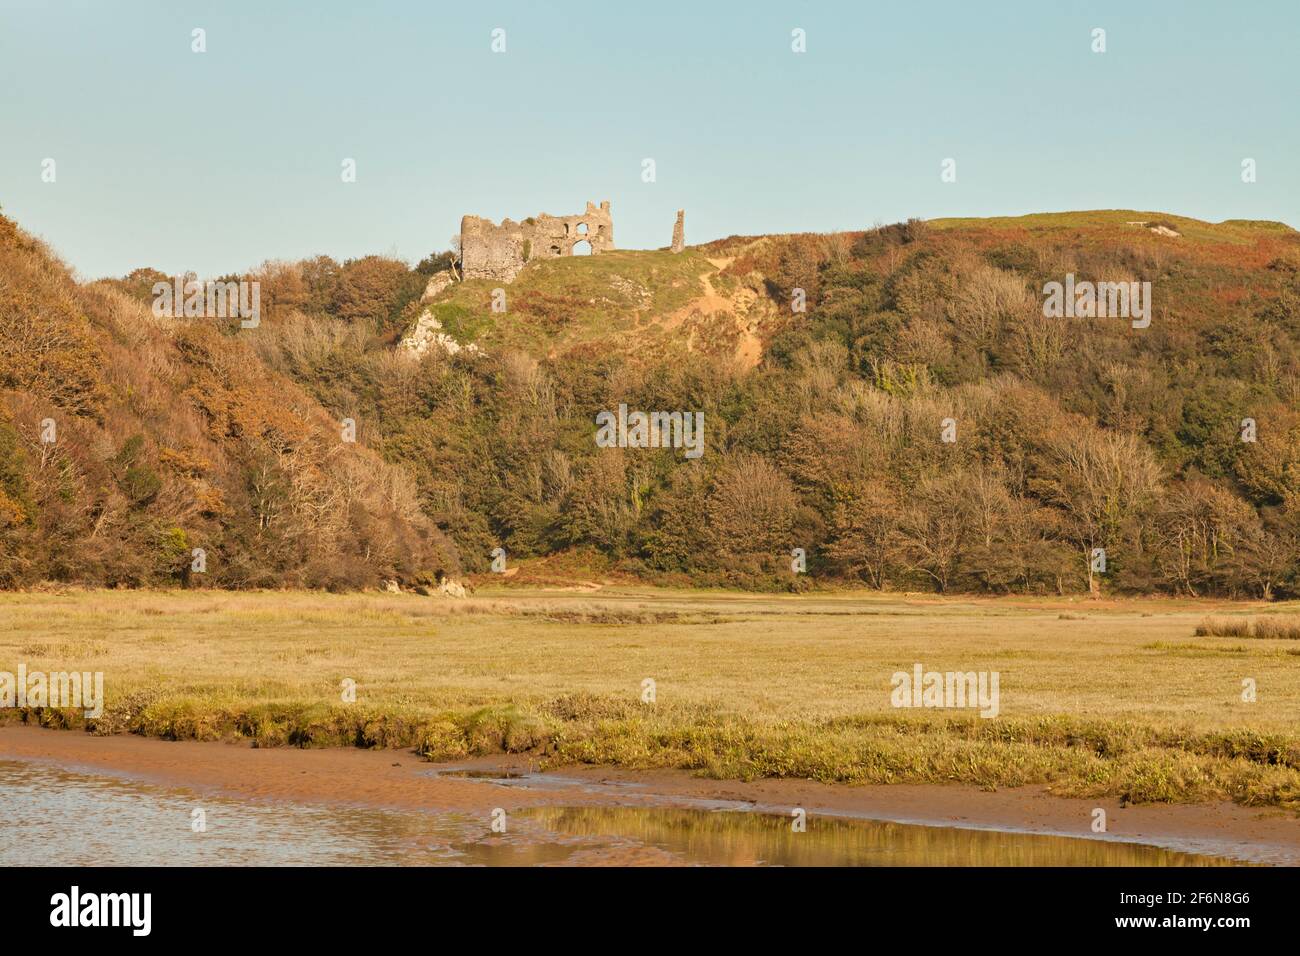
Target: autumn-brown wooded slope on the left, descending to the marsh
[144, 452]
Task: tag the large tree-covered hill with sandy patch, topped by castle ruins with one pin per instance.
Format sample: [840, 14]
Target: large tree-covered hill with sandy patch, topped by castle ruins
[825, 423]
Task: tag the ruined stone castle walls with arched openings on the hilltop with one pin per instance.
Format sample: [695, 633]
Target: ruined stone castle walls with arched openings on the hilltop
[500, 252]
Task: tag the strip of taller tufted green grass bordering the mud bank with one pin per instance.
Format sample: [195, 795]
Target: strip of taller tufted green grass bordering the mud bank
[1076, 756]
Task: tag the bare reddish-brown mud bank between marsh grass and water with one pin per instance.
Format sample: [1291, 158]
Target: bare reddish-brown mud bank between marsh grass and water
[404, 781]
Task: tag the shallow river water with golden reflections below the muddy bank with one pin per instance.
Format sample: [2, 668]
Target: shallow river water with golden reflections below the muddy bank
[51, 816]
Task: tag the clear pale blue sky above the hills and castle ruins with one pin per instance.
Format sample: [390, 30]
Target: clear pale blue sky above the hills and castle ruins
[220, 161]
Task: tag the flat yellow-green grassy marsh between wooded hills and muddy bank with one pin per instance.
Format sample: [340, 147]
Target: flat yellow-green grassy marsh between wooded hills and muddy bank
[1117, 699]
